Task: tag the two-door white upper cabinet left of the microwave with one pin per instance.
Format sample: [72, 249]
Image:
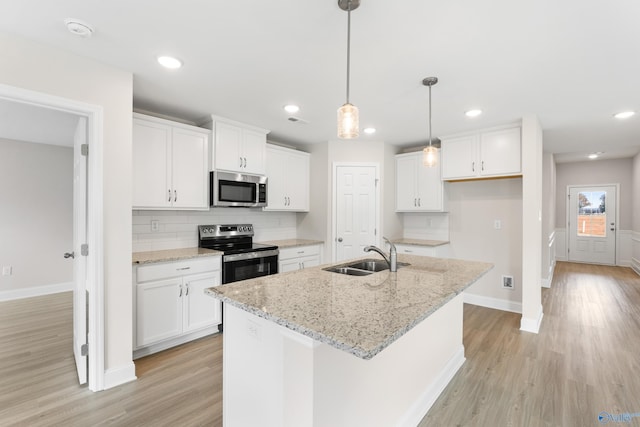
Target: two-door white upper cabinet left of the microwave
[170, 165]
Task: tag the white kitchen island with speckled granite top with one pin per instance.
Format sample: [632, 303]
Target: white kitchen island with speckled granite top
[318, 348]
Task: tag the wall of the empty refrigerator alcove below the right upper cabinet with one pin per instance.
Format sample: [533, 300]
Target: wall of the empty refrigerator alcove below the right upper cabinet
[474, 206]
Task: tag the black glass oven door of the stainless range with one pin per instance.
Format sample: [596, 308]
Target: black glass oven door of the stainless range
[249, 265]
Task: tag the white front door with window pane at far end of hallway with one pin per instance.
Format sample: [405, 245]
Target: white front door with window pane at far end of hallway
[592, 224]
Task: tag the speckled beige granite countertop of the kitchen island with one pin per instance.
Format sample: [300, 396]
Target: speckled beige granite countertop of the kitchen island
[358, 314]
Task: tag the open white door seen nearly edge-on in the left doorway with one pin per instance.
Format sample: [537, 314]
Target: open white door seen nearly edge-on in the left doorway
[80, 260]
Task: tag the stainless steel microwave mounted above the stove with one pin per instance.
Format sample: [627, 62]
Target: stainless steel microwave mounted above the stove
[237, 189]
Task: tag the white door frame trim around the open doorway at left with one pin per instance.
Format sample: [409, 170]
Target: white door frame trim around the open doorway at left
[95, 233]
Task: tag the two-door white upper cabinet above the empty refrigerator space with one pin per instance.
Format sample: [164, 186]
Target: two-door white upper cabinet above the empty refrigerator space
[492, 153]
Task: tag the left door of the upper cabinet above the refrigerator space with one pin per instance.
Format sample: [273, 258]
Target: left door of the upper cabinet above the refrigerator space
[458, 157]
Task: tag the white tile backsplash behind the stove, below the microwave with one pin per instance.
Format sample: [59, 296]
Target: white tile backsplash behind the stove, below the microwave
[179, 229]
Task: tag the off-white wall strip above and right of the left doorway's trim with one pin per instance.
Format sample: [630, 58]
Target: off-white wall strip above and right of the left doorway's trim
[44, 69]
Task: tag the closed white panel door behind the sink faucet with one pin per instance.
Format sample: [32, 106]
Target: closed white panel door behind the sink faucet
[355, 210]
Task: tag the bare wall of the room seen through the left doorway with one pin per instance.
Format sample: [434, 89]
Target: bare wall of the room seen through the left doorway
[36, 217]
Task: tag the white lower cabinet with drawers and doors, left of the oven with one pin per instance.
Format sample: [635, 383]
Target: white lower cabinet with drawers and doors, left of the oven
[171, 307]
